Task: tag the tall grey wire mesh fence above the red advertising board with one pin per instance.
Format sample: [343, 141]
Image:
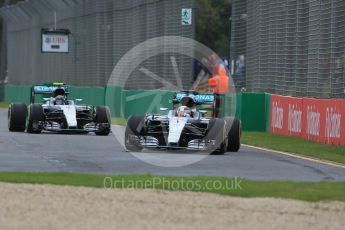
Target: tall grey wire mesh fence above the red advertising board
[290, 47]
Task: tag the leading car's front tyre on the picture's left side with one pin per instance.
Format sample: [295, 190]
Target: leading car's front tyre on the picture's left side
[134, 127]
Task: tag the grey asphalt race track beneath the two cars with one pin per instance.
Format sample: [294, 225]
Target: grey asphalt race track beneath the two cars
[95, 154]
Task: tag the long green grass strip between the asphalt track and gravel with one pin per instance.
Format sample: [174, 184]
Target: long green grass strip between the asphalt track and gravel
[306, 191]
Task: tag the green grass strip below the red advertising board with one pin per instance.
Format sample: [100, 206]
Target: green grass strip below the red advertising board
[295, 145]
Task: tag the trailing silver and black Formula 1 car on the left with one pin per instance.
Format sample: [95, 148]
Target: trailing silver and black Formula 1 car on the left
[58, 113]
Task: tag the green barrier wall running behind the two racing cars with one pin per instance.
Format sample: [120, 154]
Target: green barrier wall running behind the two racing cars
[252, 108]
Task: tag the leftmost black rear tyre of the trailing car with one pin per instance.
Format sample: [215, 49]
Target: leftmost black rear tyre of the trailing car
[17, 113]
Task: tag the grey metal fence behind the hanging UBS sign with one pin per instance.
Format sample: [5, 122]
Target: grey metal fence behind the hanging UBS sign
[102, 32]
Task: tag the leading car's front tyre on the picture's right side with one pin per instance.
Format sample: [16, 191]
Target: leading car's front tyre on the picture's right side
[217, 131]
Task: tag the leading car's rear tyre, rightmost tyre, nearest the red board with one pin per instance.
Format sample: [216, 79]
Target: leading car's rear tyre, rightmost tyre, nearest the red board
[234, 135]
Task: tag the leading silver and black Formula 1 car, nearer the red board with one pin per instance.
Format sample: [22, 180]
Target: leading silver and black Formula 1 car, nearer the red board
[185, 127]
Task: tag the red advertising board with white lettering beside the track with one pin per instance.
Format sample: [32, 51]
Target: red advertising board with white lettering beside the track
[319, 120]
